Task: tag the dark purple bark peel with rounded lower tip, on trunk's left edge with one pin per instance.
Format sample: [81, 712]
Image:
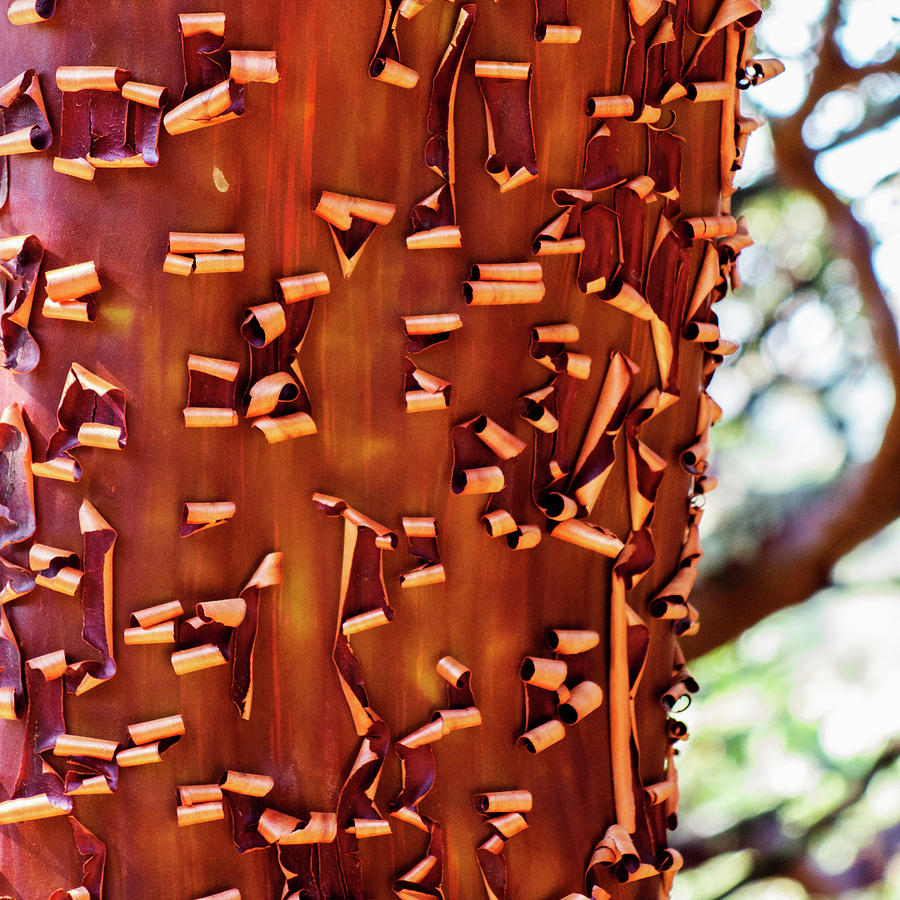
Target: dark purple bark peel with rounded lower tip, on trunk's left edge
[20, 260]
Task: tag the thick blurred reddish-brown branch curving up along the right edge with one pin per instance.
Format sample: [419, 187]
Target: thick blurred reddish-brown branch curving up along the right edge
[795, 560]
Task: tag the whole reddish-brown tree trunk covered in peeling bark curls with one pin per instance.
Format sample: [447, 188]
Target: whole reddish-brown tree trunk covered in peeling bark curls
[412, 634]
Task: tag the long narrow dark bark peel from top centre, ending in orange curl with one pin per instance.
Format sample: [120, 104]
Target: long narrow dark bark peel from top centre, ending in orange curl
[434, 218]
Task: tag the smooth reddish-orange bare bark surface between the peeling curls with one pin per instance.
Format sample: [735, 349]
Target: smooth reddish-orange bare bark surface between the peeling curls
[327, 125]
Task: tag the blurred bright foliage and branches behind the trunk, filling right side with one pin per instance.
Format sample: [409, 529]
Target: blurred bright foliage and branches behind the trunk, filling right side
[790, 784]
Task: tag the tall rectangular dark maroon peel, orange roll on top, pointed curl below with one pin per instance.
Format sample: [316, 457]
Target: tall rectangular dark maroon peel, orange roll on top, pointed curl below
[506, 89]
